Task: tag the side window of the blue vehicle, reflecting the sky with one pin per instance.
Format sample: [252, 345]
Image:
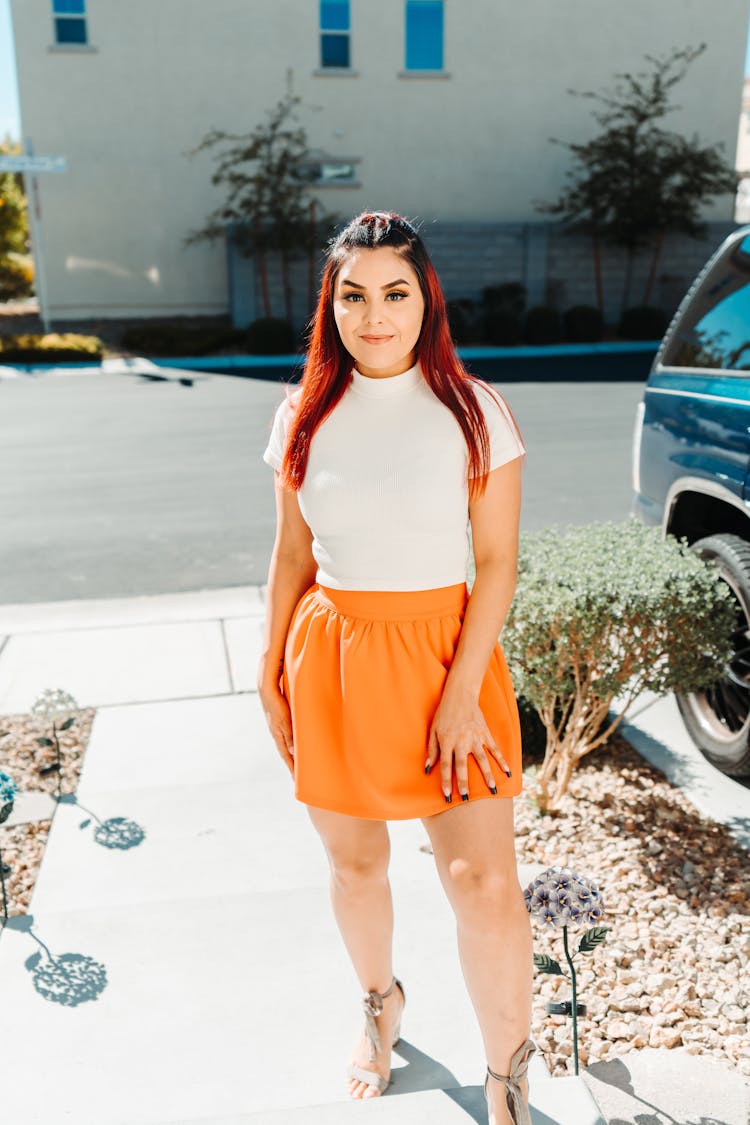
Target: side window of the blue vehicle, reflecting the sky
[716, 330]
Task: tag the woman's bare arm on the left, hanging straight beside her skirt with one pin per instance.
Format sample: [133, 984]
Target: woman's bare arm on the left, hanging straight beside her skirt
[292, 572]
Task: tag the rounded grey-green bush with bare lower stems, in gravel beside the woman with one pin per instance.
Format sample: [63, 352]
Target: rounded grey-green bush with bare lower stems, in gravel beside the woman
[608, 611]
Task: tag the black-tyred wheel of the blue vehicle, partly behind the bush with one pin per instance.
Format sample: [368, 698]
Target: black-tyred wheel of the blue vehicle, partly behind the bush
[718, 719]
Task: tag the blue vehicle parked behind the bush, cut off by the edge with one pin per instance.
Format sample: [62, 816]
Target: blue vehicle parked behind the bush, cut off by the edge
[692, 472]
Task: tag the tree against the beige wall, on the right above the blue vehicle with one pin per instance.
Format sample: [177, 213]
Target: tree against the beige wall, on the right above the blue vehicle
[635, 182]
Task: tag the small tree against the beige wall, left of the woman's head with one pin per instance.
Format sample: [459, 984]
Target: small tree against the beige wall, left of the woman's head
[268, 202]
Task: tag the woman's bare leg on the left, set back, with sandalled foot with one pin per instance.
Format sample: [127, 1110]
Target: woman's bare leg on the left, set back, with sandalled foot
[359, 852]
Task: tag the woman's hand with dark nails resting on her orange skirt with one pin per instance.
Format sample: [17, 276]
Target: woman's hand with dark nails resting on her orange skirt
[459, 730]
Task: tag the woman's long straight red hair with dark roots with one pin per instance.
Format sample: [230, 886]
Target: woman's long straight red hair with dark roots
[329, 365]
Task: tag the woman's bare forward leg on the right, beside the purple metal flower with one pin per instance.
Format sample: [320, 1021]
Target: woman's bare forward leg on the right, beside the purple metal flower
[475, 854]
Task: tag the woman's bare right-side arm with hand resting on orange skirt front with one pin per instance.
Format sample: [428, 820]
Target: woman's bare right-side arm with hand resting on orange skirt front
[459, 727]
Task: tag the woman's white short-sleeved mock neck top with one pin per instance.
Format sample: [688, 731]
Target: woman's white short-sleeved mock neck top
[386, 492]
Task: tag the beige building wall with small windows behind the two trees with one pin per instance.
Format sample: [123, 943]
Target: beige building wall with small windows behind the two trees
[472, 147]
